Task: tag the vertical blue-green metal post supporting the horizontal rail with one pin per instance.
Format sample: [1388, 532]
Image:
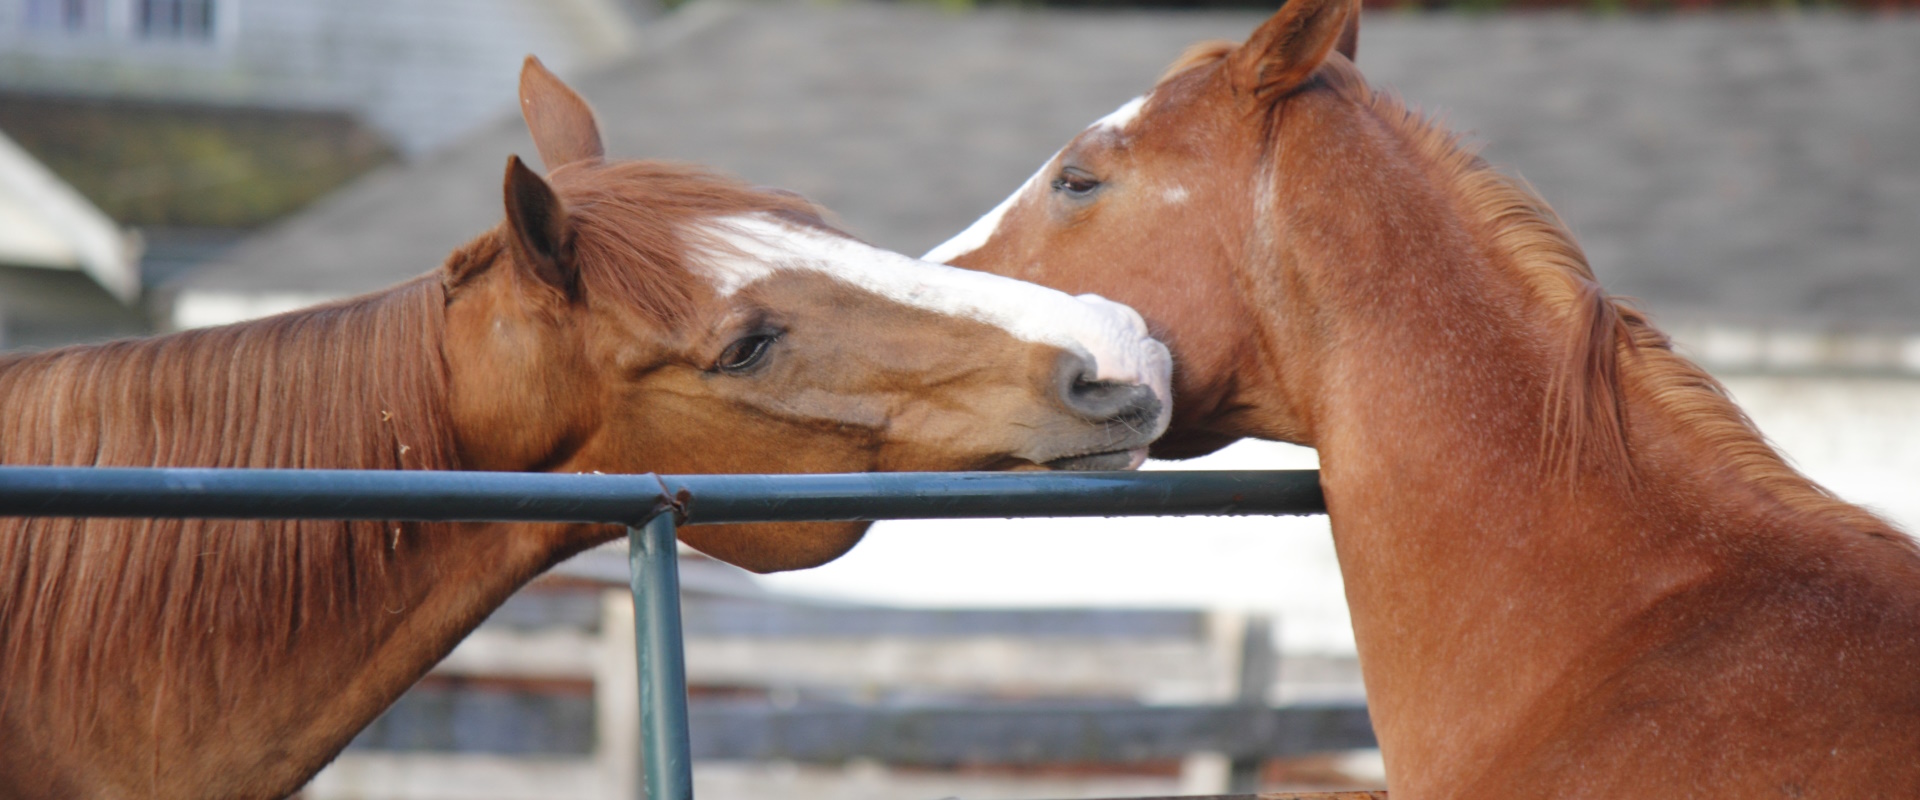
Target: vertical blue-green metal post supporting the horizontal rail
[654, 569]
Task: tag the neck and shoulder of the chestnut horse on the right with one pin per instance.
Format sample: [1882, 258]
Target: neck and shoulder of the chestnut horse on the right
[1529, 615]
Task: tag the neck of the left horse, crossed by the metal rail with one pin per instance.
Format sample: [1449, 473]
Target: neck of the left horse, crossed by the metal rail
[251, 642]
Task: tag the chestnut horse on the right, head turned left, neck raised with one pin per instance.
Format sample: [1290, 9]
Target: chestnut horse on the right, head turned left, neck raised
[1575, 567]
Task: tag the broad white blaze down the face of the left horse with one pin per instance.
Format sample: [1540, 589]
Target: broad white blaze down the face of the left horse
[1113, 335]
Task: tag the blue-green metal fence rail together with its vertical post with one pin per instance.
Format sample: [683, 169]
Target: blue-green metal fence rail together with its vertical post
[652, 507]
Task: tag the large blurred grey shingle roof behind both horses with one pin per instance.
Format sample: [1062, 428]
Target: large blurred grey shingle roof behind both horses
[1754, 168]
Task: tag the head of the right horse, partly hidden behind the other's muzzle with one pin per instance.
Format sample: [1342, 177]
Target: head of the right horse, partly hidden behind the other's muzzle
[1180, 183]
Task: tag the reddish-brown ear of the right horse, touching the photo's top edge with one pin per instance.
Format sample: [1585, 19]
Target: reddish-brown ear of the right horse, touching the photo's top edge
[1291, 45]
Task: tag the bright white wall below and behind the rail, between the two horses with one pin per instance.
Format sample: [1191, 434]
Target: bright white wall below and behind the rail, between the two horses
[1280, 565]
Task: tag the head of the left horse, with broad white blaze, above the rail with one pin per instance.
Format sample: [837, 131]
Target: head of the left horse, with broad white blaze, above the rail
[644, 318]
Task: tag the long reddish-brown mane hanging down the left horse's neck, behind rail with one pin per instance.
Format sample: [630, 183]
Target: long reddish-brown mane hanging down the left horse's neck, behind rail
[356, 385]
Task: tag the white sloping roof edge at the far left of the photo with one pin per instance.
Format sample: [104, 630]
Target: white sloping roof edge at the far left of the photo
[45, 224]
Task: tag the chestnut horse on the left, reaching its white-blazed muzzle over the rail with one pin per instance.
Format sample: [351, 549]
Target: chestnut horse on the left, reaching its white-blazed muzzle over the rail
[625, 318]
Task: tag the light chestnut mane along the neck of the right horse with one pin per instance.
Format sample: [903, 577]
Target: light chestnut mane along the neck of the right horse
[1608, 344]
